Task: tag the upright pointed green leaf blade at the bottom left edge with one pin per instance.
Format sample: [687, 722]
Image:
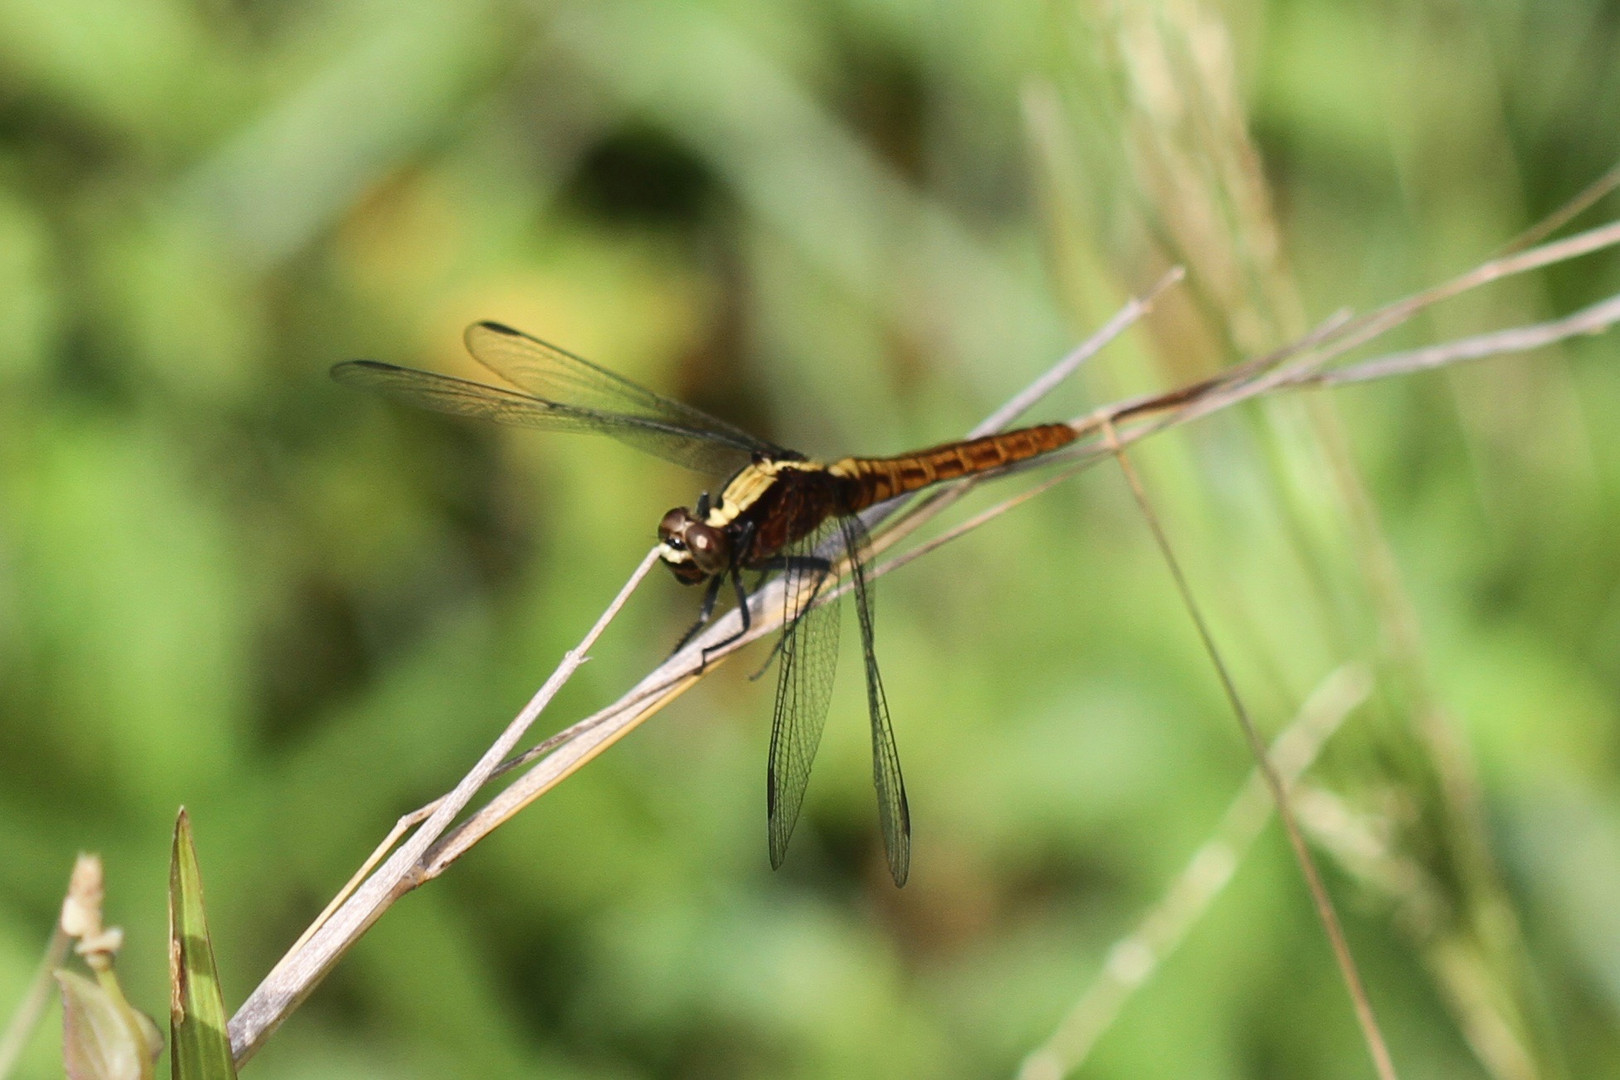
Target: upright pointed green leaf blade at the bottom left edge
[197, 1010]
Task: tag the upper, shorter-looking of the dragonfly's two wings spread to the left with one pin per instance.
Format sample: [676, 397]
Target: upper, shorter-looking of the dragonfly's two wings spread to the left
[556, 375]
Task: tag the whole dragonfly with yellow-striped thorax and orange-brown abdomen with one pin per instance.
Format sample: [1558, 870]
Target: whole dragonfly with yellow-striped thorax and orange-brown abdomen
[778, 512]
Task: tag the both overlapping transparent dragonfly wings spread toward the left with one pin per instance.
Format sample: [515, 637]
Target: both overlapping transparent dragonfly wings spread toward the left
[578, 398]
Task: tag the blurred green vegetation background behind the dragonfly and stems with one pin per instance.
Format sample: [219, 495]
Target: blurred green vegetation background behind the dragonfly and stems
[853, 227]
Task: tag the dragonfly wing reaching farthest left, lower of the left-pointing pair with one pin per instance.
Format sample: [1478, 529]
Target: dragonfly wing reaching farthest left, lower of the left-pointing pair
[699, 451]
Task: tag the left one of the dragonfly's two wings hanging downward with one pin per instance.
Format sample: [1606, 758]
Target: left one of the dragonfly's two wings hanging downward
[804, 689]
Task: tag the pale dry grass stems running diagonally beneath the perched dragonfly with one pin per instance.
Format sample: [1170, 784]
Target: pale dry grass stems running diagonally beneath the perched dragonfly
[435, 846]
